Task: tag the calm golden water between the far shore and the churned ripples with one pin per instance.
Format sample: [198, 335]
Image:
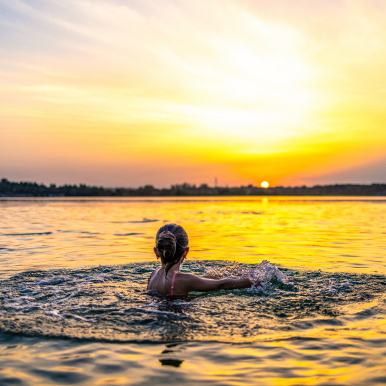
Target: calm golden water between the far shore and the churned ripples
[327, 234]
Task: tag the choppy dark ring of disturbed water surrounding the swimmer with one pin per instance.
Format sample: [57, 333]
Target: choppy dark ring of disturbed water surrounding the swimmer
[109, 303]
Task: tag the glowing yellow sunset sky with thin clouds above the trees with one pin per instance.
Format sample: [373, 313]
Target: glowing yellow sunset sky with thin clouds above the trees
[126, 93]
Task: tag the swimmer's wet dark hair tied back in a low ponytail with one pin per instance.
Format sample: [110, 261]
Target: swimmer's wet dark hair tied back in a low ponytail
[171, 242]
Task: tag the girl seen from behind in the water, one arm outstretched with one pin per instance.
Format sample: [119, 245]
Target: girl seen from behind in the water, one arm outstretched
[172, 248]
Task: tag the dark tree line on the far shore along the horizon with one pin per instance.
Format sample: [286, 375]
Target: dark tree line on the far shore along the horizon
[32, 189]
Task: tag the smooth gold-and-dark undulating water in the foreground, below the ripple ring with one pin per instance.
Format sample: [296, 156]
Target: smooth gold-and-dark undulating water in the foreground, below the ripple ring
[336, 360]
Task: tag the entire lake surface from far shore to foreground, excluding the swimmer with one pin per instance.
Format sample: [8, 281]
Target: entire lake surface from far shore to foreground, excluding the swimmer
[74, 310]
